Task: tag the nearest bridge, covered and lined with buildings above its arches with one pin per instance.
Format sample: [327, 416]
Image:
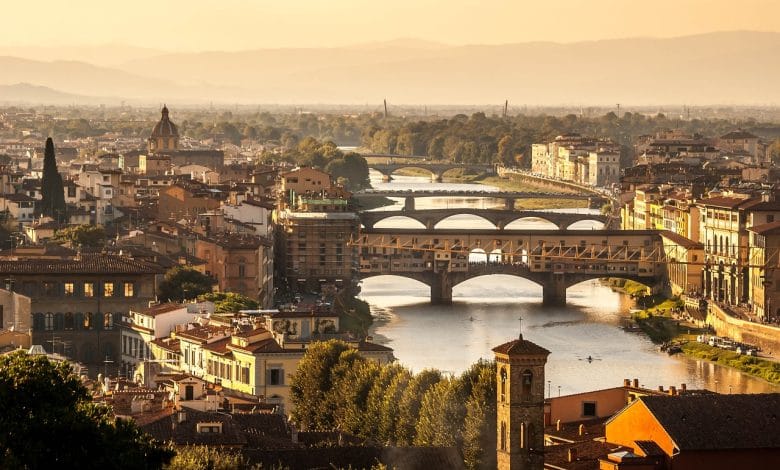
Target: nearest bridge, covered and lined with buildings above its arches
[555, 259]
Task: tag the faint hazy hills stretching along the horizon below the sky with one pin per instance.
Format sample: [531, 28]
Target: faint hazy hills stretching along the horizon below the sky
[717, 68]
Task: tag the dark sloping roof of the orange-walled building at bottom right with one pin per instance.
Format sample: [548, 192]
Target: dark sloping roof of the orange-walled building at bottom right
[713, 422]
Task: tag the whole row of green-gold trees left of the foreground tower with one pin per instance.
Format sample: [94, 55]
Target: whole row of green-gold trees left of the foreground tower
[335, 388]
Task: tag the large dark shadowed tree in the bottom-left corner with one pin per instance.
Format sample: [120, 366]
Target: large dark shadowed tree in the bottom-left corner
[49, 421]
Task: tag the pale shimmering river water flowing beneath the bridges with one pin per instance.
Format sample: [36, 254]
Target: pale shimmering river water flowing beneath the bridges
[490, 310]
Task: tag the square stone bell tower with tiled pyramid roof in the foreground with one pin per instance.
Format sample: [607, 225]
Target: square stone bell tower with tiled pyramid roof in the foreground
[520, 405]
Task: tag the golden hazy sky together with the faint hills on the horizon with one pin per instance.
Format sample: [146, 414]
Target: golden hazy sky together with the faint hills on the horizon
[410, 52]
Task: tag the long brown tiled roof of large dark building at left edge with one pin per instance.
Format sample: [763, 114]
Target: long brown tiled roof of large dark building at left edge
[87, 264]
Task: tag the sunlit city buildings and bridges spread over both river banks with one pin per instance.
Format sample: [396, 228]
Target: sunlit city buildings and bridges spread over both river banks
[186, 281]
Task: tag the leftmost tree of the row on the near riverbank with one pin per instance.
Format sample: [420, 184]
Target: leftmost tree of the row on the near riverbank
[311, 385]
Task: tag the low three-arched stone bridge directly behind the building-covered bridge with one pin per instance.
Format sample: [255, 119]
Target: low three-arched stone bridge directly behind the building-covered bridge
[500, 218]
